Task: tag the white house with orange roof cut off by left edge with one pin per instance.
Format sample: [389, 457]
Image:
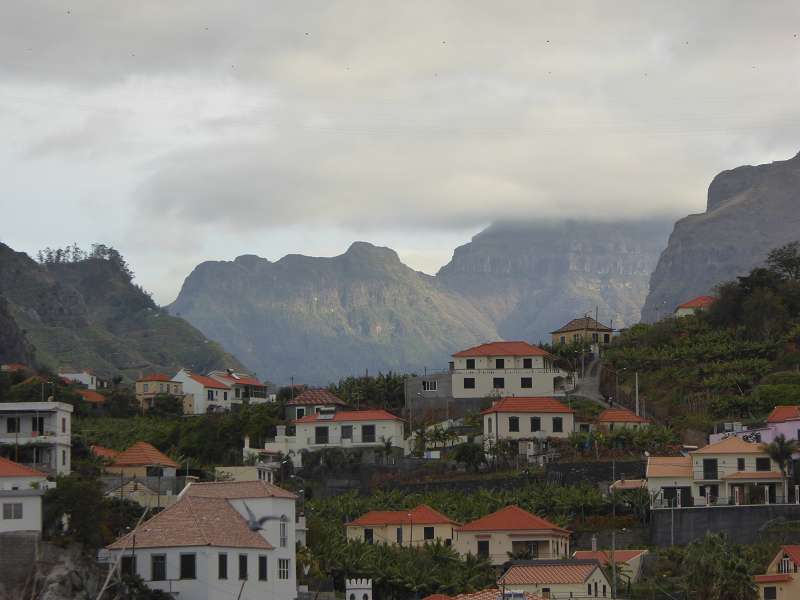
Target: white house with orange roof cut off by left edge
[21, 491]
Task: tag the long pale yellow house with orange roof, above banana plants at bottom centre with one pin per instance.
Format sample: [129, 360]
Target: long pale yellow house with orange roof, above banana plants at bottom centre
[413, 527]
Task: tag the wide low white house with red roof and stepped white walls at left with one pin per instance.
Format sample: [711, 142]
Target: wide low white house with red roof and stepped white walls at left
[330, 429]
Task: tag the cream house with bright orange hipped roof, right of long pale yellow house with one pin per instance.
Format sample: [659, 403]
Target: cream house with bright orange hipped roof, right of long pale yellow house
[512, 531]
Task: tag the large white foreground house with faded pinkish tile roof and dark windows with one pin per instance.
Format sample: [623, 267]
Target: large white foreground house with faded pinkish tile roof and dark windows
[203, 547]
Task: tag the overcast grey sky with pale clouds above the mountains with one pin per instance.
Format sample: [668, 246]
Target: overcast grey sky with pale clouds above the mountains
[186, 131]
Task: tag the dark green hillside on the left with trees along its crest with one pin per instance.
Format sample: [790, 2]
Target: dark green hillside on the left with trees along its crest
[87, 314]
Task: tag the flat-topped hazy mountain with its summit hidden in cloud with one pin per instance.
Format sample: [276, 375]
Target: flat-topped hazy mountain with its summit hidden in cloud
[531, 278]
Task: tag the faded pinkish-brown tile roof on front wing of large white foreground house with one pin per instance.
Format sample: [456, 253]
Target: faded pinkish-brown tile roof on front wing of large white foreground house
[195, 522]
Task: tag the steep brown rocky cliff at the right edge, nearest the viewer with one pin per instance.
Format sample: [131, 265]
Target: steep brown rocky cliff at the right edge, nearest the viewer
[750, 211]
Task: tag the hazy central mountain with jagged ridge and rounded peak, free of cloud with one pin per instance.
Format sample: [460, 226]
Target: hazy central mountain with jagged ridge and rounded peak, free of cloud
[318, 319]
